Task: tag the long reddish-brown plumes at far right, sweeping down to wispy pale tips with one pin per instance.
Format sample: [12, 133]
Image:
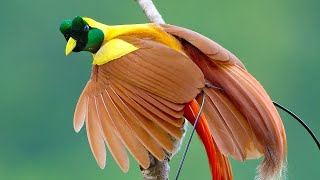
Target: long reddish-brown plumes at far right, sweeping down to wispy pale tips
[269, 129]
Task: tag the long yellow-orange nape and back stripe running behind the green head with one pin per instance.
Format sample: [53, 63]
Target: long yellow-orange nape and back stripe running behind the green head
[151, 31]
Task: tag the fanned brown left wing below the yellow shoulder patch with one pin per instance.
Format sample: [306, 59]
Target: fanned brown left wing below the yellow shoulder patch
[136, 102]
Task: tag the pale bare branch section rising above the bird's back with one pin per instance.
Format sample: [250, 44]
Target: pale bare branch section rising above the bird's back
[151, 11]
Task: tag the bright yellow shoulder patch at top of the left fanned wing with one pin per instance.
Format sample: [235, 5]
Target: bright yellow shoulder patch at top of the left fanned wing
[112, 50]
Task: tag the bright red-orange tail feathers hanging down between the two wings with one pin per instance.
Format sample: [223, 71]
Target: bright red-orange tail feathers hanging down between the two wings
[219, 164]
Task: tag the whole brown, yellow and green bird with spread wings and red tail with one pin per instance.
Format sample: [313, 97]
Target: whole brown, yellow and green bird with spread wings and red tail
[148, 78]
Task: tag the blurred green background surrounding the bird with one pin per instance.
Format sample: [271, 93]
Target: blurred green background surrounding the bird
[278, 41]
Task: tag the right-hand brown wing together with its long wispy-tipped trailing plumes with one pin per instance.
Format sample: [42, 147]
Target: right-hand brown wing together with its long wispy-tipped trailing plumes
[242, 118]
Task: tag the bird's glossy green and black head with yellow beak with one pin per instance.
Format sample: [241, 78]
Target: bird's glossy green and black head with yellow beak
[81, 35]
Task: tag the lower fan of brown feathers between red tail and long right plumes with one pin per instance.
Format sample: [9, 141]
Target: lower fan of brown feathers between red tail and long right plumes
[229, 127]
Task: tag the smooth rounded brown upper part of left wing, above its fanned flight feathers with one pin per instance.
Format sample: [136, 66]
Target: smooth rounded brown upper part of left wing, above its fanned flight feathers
[178, 91]
